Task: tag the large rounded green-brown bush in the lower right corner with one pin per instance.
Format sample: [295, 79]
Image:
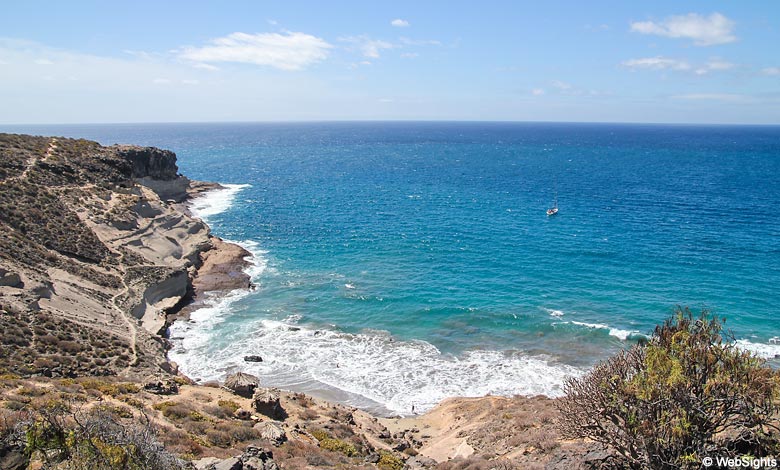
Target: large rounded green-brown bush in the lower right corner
[683, 395]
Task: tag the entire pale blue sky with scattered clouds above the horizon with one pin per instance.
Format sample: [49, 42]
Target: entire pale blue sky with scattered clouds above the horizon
[553, 60]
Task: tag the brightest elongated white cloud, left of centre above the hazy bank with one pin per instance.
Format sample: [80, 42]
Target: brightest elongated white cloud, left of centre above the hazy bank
[287, 51]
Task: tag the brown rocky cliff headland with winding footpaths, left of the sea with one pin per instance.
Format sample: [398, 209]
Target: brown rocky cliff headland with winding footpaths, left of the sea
[94, 252]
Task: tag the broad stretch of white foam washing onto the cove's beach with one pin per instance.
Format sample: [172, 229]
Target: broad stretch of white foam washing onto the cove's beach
[372, 364]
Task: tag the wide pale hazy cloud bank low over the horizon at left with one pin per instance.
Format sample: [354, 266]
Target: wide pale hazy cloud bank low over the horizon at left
[32, 93]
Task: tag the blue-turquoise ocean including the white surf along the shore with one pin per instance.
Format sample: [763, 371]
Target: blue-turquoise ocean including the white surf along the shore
[401, 263]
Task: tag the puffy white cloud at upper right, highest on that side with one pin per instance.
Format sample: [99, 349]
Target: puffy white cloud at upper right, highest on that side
[704, 31]
